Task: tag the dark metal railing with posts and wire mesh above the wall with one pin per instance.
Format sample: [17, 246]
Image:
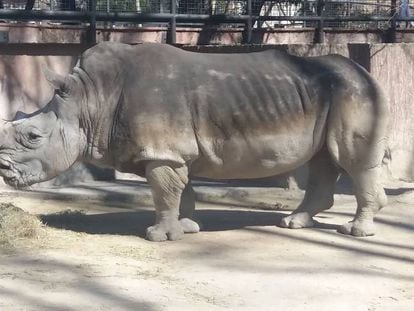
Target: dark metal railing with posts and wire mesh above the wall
[385, 15]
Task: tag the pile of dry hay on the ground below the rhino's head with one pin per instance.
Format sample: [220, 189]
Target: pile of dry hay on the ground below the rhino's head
[18, 227]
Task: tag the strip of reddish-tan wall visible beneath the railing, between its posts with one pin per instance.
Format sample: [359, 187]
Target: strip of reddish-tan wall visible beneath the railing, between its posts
[47, 33]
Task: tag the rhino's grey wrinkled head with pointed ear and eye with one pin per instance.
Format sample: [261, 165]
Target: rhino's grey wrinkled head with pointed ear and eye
[38, 146]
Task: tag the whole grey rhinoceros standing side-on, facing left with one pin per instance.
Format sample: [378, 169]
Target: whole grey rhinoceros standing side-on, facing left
[171, 115]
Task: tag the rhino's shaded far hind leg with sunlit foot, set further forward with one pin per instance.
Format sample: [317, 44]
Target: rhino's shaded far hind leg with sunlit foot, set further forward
[319, 192]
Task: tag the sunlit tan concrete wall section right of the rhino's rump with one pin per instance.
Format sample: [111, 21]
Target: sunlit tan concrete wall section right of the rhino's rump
[393, 66]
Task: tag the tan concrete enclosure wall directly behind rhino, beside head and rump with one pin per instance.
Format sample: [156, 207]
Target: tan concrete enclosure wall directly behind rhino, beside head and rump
[22, 86]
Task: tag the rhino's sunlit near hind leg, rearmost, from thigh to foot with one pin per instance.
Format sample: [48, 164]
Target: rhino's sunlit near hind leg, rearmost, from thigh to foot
[358, 146]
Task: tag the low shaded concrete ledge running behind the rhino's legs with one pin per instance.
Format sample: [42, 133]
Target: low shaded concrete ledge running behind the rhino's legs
[128, 194]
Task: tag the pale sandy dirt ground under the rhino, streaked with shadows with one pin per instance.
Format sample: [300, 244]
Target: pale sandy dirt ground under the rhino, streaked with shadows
[93, 255]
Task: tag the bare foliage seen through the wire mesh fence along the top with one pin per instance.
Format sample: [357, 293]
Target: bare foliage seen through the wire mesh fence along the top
[287, 8]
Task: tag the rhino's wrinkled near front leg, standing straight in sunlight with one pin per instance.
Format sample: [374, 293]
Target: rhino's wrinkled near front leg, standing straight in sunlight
[167, 181]
